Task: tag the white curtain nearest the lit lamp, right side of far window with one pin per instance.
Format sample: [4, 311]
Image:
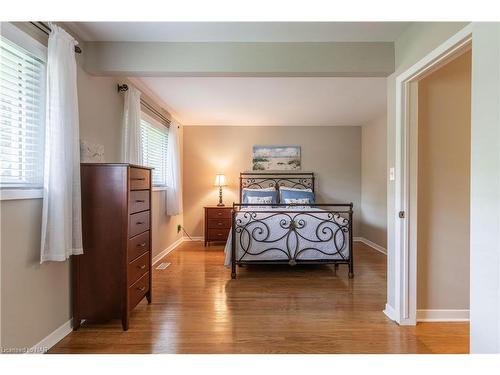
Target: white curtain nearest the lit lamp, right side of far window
[174, 183]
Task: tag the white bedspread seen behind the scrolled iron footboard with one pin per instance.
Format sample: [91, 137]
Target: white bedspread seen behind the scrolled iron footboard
[317, 234]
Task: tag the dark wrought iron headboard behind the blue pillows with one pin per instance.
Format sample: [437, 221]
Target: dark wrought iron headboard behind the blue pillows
[260, 180]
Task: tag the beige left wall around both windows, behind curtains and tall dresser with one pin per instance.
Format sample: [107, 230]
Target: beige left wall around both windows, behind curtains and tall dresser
[35, 298]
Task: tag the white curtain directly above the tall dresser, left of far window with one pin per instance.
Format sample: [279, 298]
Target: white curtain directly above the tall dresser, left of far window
[131, 133]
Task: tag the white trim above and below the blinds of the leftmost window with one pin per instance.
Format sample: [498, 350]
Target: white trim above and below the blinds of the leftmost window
[27, 42]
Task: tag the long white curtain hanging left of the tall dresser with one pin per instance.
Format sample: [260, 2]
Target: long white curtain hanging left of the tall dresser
[61, 215]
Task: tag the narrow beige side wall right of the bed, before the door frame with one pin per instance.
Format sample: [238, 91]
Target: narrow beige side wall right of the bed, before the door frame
[374, 181]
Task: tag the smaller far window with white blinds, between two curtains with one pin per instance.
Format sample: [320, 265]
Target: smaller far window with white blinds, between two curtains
[154, 138]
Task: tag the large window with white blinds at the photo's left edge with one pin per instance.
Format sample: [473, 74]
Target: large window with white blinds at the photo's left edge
[22, 110]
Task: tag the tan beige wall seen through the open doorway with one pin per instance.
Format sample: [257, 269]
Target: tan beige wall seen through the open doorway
[444, 112]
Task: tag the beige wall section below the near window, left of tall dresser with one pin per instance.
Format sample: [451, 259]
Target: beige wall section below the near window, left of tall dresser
[35, 297]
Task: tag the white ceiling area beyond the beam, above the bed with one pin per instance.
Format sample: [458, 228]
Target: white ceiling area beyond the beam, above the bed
[315, 101]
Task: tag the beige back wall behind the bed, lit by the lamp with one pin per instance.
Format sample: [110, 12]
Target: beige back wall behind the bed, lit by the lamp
[333, 153]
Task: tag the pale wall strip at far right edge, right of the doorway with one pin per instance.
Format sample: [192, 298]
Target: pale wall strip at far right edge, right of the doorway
[485, 190]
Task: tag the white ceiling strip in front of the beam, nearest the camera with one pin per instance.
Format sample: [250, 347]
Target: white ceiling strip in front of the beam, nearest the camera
[239, 31]
